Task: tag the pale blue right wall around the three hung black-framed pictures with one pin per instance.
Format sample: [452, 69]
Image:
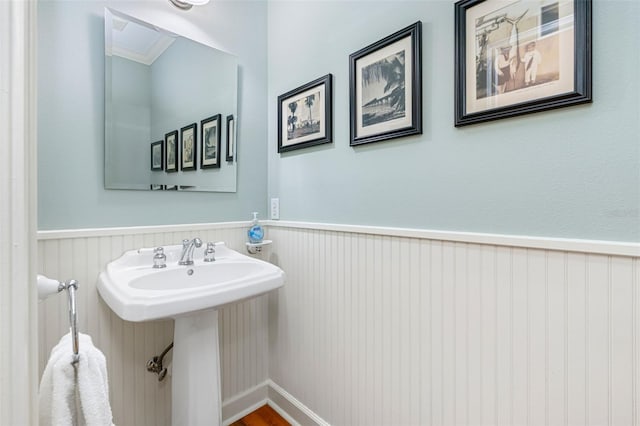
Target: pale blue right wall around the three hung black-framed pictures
[573, 172]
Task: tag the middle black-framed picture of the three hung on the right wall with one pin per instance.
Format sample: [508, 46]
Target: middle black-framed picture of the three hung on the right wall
[385, 87]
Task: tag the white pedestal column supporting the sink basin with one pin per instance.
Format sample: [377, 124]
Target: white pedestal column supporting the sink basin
[195, 387]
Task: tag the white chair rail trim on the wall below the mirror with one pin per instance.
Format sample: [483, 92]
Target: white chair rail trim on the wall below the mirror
[136, 230]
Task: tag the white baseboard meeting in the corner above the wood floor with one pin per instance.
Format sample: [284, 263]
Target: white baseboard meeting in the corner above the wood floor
[268, 392]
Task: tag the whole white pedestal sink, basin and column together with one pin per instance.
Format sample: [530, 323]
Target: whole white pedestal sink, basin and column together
[190, 294]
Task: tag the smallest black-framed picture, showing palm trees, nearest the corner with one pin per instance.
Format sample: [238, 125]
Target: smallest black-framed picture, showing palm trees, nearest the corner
[305, 115]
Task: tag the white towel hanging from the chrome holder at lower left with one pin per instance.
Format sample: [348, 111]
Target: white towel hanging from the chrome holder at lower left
[75, 395]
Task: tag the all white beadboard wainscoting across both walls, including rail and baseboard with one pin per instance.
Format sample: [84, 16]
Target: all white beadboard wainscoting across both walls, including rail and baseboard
[382, 326]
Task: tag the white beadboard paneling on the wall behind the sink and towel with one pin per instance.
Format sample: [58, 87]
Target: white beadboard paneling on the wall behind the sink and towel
[137, 398]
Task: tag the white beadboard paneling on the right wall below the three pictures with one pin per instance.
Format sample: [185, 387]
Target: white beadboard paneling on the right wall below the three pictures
[379, 330]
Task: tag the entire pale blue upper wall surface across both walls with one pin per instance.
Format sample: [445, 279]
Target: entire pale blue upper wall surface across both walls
[573, 172]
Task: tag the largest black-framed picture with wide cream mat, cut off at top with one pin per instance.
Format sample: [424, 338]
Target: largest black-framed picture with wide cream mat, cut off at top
[518, 57]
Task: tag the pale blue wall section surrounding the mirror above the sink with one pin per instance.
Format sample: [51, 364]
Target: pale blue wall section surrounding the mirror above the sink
[71, 190]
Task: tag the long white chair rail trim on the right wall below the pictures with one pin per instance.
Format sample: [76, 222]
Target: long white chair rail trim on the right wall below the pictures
[612, 248]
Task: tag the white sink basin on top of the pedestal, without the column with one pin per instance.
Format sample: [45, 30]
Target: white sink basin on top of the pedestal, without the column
[136, 291]
